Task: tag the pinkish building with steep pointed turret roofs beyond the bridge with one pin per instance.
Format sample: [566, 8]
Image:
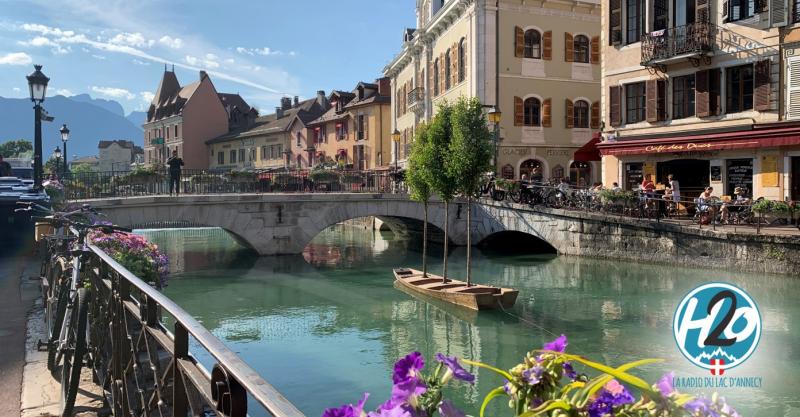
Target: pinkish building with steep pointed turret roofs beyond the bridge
[184, 118]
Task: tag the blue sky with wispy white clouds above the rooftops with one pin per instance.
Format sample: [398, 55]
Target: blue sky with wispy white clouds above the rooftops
[261, 49]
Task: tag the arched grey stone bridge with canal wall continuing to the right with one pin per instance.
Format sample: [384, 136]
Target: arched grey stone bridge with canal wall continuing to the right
[286, 223]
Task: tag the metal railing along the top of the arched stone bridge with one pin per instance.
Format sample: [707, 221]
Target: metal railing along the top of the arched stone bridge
[115, 184]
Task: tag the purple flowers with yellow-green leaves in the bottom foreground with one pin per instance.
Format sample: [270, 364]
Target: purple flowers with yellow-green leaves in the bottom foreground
[545, 384]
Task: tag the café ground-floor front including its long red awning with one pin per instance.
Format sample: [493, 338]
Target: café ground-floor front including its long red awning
[761, 160]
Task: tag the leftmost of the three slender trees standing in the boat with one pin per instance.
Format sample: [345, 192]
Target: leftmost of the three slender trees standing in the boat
[420, 170]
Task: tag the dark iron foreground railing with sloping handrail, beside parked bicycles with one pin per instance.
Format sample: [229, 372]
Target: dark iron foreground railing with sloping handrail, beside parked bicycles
[143, 363]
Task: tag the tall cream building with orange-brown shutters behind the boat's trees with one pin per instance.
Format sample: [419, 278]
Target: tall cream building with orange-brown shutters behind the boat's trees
[547, 86]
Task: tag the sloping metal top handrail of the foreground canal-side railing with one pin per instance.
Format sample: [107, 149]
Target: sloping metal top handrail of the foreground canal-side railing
[260, 390]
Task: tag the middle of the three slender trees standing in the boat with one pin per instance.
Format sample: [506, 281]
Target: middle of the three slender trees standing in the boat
[442, 183]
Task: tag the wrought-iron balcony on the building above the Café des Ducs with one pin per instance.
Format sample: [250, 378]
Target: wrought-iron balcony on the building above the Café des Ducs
[671, 45]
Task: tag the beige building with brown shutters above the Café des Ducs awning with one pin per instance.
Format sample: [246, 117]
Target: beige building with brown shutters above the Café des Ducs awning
[694, 89]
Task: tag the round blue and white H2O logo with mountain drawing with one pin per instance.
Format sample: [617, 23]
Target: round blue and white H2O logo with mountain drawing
[717, 326]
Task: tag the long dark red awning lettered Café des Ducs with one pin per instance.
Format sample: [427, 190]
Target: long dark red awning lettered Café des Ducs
[747, 139]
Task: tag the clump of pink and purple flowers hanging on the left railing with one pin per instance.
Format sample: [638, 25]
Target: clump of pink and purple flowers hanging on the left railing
[136, 254]
